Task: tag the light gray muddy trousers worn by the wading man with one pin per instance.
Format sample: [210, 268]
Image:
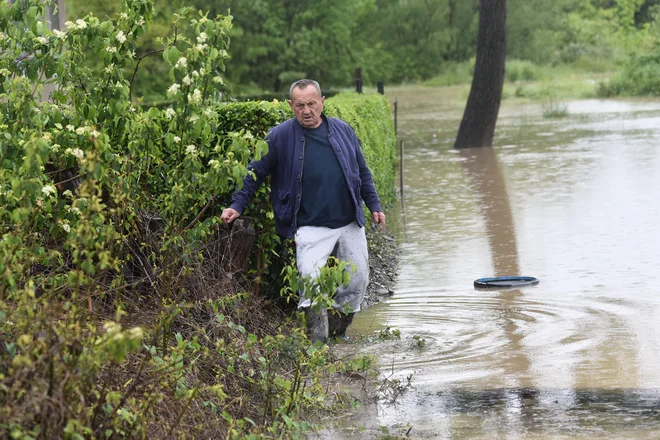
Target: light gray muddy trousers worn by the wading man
[314, 244]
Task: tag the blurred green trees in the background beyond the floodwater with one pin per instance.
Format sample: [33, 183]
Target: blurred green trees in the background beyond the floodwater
[276, 43]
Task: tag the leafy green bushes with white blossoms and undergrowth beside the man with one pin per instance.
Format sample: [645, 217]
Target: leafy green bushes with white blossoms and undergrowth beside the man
[116, 317]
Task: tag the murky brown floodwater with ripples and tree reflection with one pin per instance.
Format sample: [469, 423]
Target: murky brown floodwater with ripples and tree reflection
[571, 201]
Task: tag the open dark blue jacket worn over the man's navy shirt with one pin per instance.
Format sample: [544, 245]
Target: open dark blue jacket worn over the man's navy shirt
[284, 162]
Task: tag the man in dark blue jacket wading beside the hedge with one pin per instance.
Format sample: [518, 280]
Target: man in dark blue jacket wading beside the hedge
[319, 179]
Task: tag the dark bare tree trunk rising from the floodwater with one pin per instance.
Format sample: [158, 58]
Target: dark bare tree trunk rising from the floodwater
[478, 125]
